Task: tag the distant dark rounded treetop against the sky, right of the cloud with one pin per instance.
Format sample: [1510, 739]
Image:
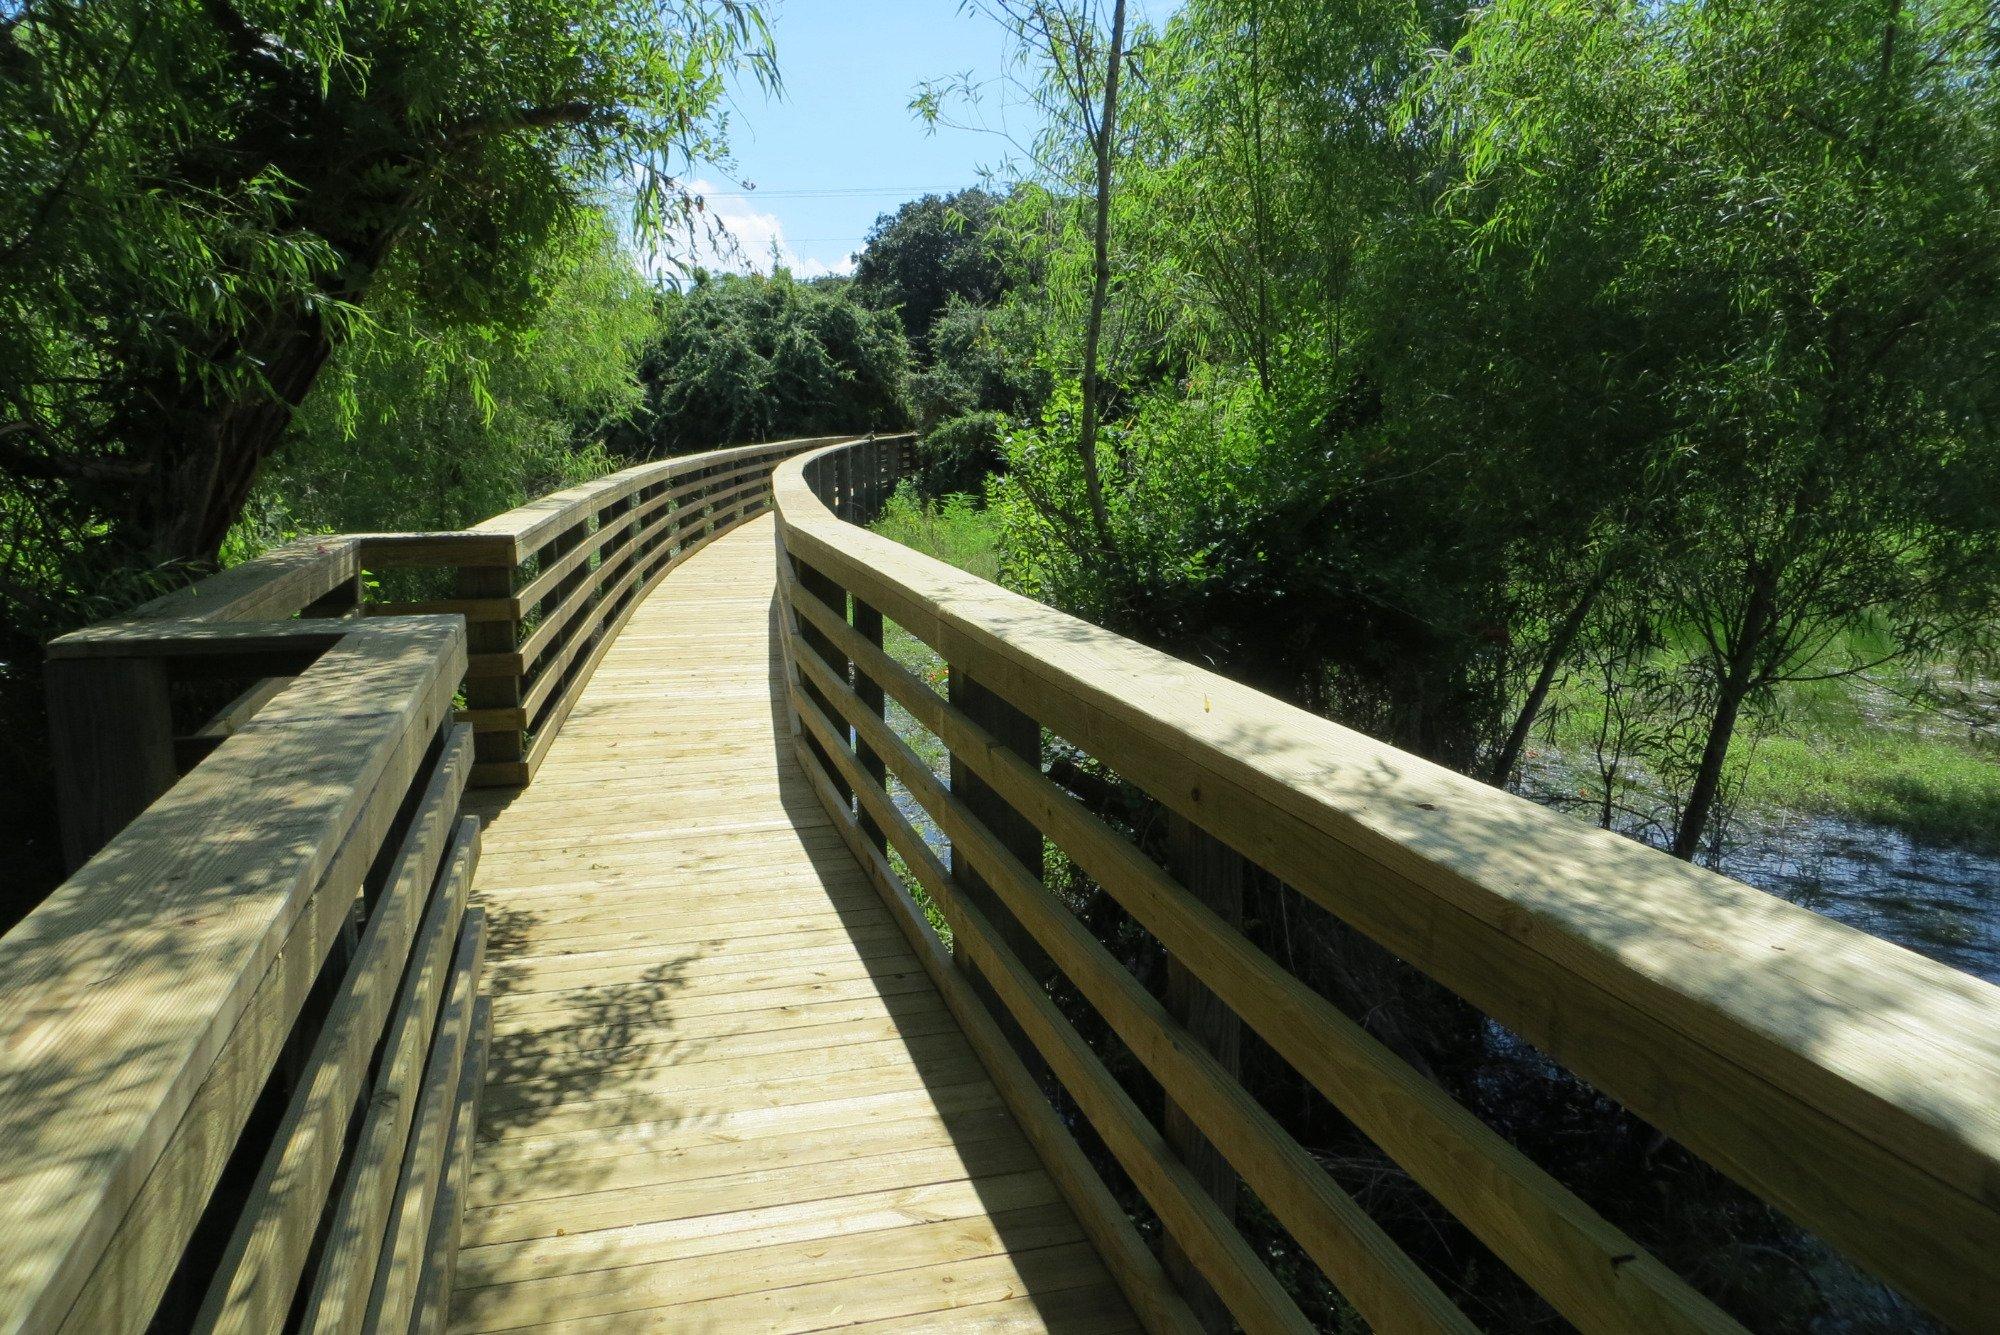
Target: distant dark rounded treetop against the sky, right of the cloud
[927, 255]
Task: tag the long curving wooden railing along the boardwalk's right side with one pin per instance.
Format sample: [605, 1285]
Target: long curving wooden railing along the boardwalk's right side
[1849, 1082]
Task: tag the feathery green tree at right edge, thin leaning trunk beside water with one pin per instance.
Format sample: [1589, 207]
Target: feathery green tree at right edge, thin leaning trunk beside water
[1803, 207]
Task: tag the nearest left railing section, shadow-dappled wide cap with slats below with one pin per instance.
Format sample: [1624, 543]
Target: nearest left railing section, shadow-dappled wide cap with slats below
[241, 1048]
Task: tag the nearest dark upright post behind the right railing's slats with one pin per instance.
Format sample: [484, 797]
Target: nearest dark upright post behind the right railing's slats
[1215, 874]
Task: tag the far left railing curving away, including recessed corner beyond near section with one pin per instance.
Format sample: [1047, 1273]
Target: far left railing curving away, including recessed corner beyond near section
[543, 591]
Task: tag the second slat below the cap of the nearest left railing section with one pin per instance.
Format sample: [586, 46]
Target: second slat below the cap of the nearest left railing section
[345, 1278]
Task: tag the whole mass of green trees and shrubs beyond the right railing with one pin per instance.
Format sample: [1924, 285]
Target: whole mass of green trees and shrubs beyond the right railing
[1411, 363]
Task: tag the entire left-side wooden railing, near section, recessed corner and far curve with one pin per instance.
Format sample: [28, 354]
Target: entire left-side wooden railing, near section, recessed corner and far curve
[241, 1048]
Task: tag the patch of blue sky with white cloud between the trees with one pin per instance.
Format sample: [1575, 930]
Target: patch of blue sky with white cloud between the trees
[841, 145]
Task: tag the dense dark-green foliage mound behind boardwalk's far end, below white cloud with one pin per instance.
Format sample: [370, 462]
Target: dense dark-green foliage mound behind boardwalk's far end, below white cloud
[743, 359]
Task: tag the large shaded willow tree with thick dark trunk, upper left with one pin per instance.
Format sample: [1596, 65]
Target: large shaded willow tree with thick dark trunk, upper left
[199, 195]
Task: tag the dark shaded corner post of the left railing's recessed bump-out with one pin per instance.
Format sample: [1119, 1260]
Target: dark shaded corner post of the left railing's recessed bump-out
[113, 738]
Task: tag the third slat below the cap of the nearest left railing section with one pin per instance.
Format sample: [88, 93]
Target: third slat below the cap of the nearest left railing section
[405, 1246]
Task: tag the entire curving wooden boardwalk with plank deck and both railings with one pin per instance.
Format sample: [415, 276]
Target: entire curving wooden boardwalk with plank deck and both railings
[517, 928]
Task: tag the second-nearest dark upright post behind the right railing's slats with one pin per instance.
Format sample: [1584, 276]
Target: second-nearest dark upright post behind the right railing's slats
[1023, 736]
